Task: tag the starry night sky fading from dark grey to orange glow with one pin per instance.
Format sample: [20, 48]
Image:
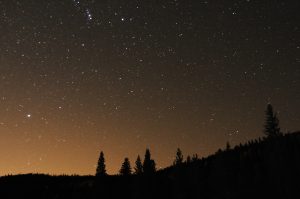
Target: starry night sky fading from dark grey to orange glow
[80, 76]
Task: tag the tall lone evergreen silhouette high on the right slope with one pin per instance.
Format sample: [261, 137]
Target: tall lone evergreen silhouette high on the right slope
[271, 127]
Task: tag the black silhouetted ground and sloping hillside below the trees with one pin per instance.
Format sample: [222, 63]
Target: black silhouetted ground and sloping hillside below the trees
[268, 168]
